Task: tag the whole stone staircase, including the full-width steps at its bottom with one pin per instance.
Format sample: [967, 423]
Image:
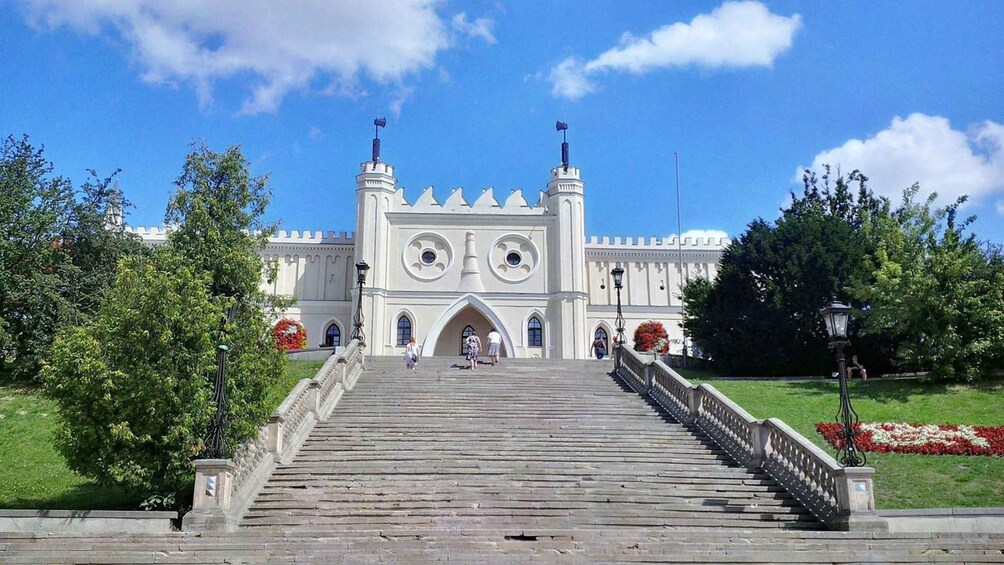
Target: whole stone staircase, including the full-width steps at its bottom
[534, 461]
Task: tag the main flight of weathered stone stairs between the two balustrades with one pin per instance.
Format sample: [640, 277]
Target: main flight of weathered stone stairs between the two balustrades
[528, 445]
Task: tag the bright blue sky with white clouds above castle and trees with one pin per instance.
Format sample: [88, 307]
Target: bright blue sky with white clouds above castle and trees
[746, 93]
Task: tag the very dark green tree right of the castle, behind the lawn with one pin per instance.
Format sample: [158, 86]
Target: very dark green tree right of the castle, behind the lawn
[761, 316]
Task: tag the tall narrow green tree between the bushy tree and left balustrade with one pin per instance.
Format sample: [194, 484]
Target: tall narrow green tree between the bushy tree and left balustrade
[217, 223]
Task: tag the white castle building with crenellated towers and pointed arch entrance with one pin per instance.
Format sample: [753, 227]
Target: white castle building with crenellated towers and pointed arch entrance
[440, 270]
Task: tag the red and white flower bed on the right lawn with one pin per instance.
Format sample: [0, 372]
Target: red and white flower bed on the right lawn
[920, 439]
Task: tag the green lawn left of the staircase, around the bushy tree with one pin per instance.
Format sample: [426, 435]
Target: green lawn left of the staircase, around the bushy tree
[34, 475]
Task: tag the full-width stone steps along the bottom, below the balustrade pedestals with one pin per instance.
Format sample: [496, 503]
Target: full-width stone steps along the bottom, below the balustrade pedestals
[503, 546]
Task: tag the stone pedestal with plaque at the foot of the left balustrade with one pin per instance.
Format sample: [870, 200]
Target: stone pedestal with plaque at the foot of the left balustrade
[213, 501]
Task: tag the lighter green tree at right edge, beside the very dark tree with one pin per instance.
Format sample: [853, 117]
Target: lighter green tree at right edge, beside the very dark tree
[937, 291]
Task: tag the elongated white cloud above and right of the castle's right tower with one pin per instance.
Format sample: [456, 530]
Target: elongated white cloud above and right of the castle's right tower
[734, 36]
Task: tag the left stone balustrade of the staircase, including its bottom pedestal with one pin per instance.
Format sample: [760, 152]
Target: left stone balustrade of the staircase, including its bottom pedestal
[224, 489]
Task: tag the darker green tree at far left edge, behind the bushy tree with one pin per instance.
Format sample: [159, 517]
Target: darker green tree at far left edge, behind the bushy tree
[57, 254]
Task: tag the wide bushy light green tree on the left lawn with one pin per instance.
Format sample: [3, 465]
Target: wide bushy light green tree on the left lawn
[132, 382]
